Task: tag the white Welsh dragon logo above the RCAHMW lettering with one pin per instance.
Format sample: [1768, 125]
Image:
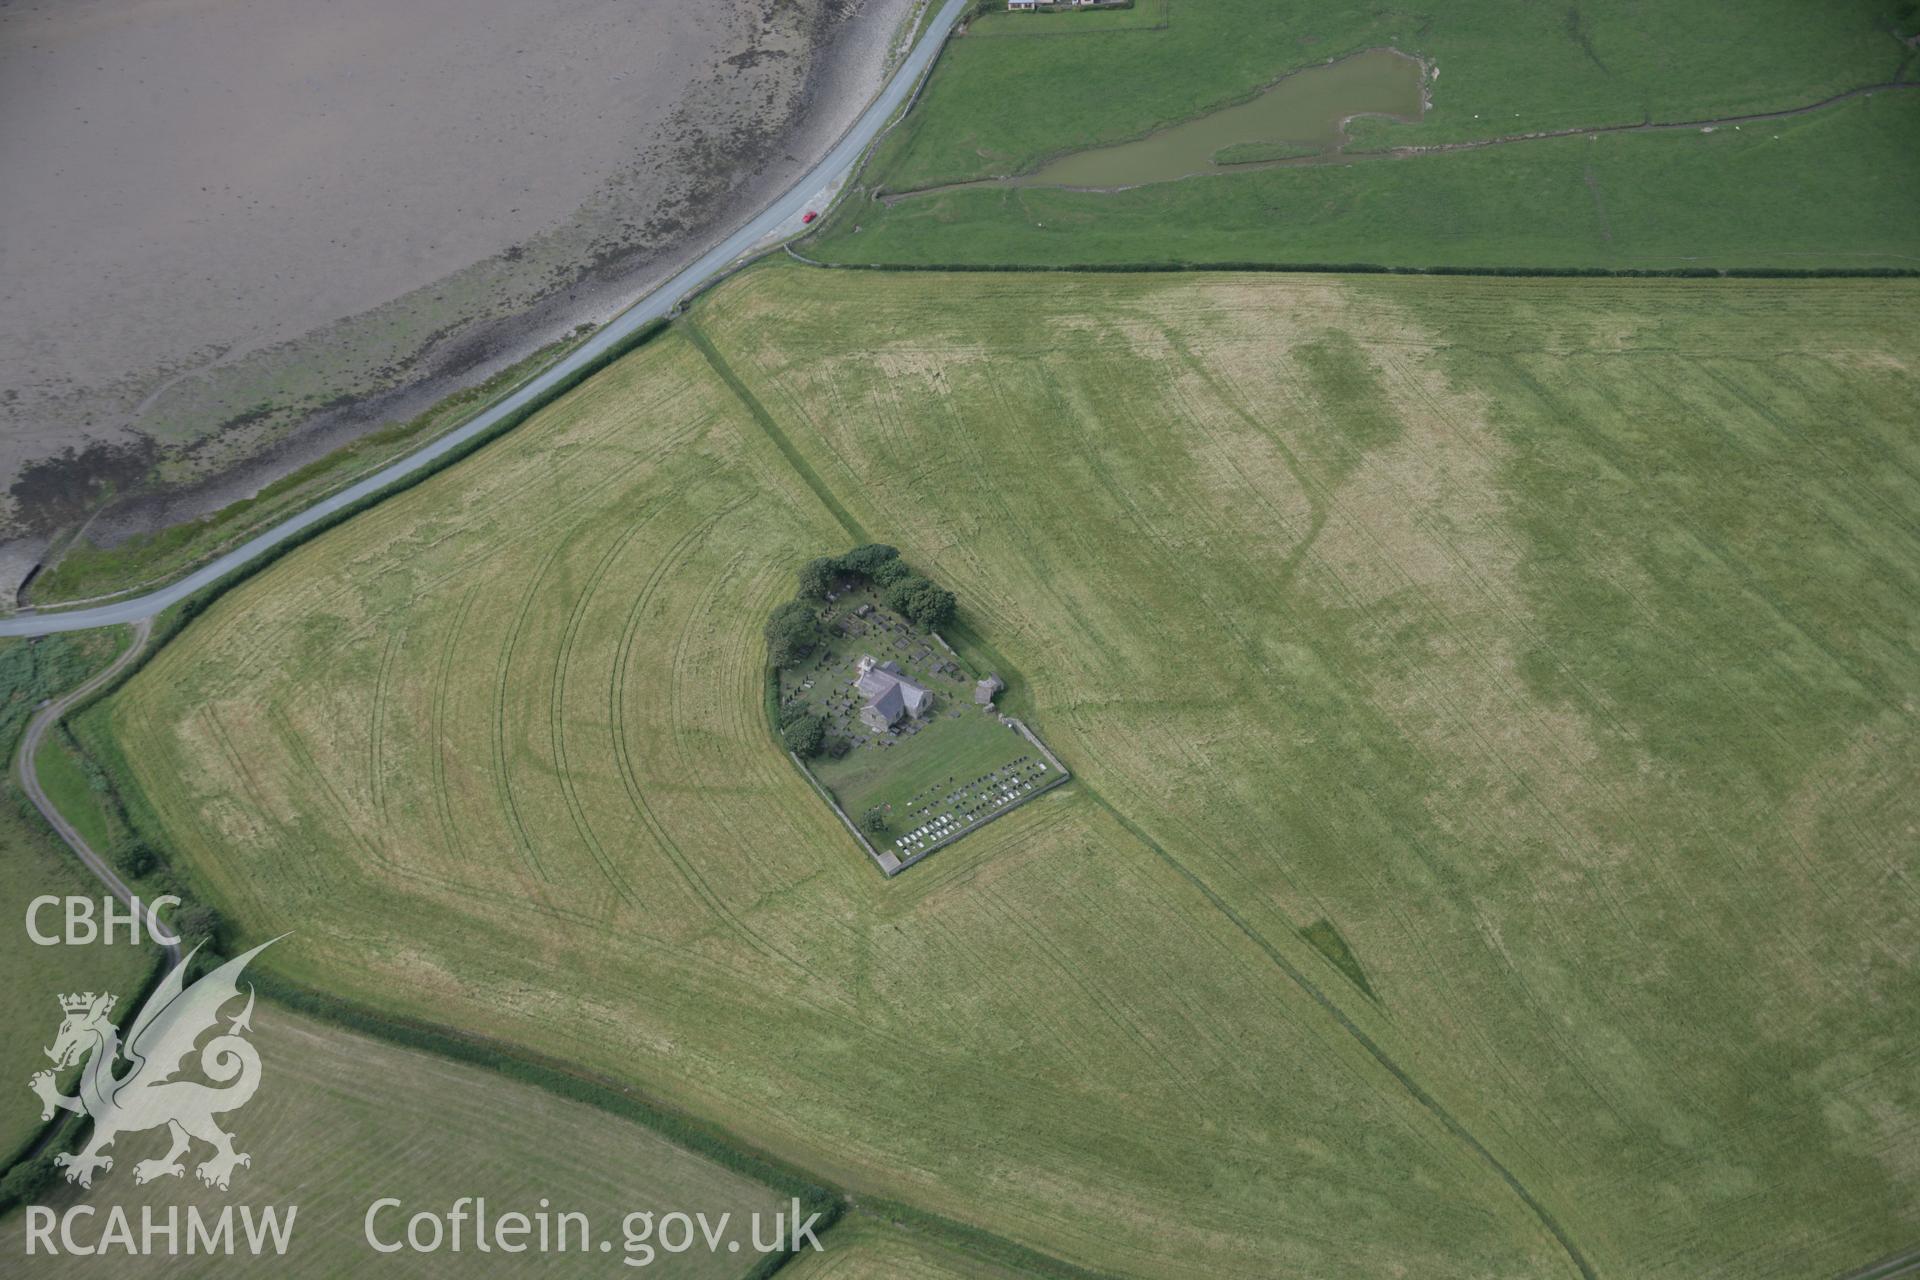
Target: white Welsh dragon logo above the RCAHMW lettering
[158, 1047]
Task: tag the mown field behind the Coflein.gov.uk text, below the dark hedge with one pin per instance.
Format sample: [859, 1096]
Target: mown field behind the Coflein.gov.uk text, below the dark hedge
[343, 1120]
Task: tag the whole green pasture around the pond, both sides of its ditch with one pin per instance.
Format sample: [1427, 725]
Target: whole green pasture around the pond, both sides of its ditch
[1829, 189]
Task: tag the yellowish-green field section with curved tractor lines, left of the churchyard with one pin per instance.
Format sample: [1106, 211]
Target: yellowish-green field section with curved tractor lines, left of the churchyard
[498, 755]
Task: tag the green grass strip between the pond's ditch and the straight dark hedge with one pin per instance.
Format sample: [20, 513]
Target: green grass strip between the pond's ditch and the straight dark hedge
[1833, 189]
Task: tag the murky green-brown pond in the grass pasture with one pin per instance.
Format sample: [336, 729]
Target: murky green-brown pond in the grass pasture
[1301, 116]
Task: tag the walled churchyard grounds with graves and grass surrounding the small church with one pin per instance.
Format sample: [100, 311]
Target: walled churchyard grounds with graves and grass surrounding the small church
[930, 778]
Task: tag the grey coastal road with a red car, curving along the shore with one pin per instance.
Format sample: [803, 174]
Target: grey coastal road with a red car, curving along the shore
[661, 302]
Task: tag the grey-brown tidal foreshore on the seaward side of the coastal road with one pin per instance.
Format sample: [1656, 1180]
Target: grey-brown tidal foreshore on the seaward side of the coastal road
[239, 235]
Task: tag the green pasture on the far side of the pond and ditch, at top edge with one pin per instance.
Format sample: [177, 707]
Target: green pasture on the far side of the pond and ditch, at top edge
[1531, 68]
